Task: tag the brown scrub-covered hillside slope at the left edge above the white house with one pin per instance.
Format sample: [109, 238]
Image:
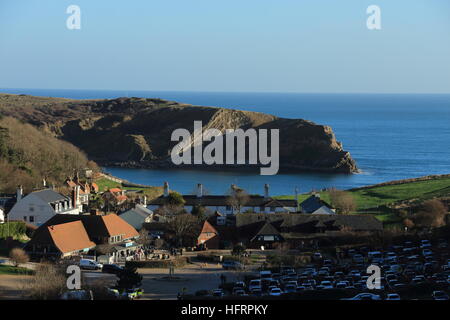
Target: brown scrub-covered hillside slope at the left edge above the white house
[28, 155]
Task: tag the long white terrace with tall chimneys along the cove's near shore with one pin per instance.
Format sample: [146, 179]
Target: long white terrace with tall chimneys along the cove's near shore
[221, 203]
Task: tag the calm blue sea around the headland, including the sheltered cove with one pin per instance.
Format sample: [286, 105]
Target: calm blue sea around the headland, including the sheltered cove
[390, 136]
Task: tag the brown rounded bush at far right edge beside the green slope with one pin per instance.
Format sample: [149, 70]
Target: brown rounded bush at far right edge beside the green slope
[431, 215]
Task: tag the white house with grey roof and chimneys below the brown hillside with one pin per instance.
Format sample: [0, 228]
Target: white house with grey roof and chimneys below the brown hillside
[37, 207]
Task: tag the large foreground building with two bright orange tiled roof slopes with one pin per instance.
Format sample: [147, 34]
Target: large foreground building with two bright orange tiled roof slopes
[108, 230]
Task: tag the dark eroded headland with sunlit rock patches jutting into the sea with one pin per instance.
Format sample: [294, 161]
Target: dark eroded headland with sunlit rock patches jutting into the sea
[137, 132]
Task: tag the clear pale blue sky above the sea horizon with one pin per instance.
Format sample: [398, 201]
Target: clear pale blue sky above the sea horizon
[232, 45]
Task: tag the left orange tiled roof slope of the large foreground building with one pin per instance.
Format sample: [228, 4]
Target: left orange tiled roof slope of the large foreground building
[69, 237]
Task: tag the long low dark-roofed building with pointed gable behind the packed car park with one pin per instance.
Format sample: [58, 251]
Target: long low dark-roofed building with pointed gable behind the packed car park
[256, 230]
